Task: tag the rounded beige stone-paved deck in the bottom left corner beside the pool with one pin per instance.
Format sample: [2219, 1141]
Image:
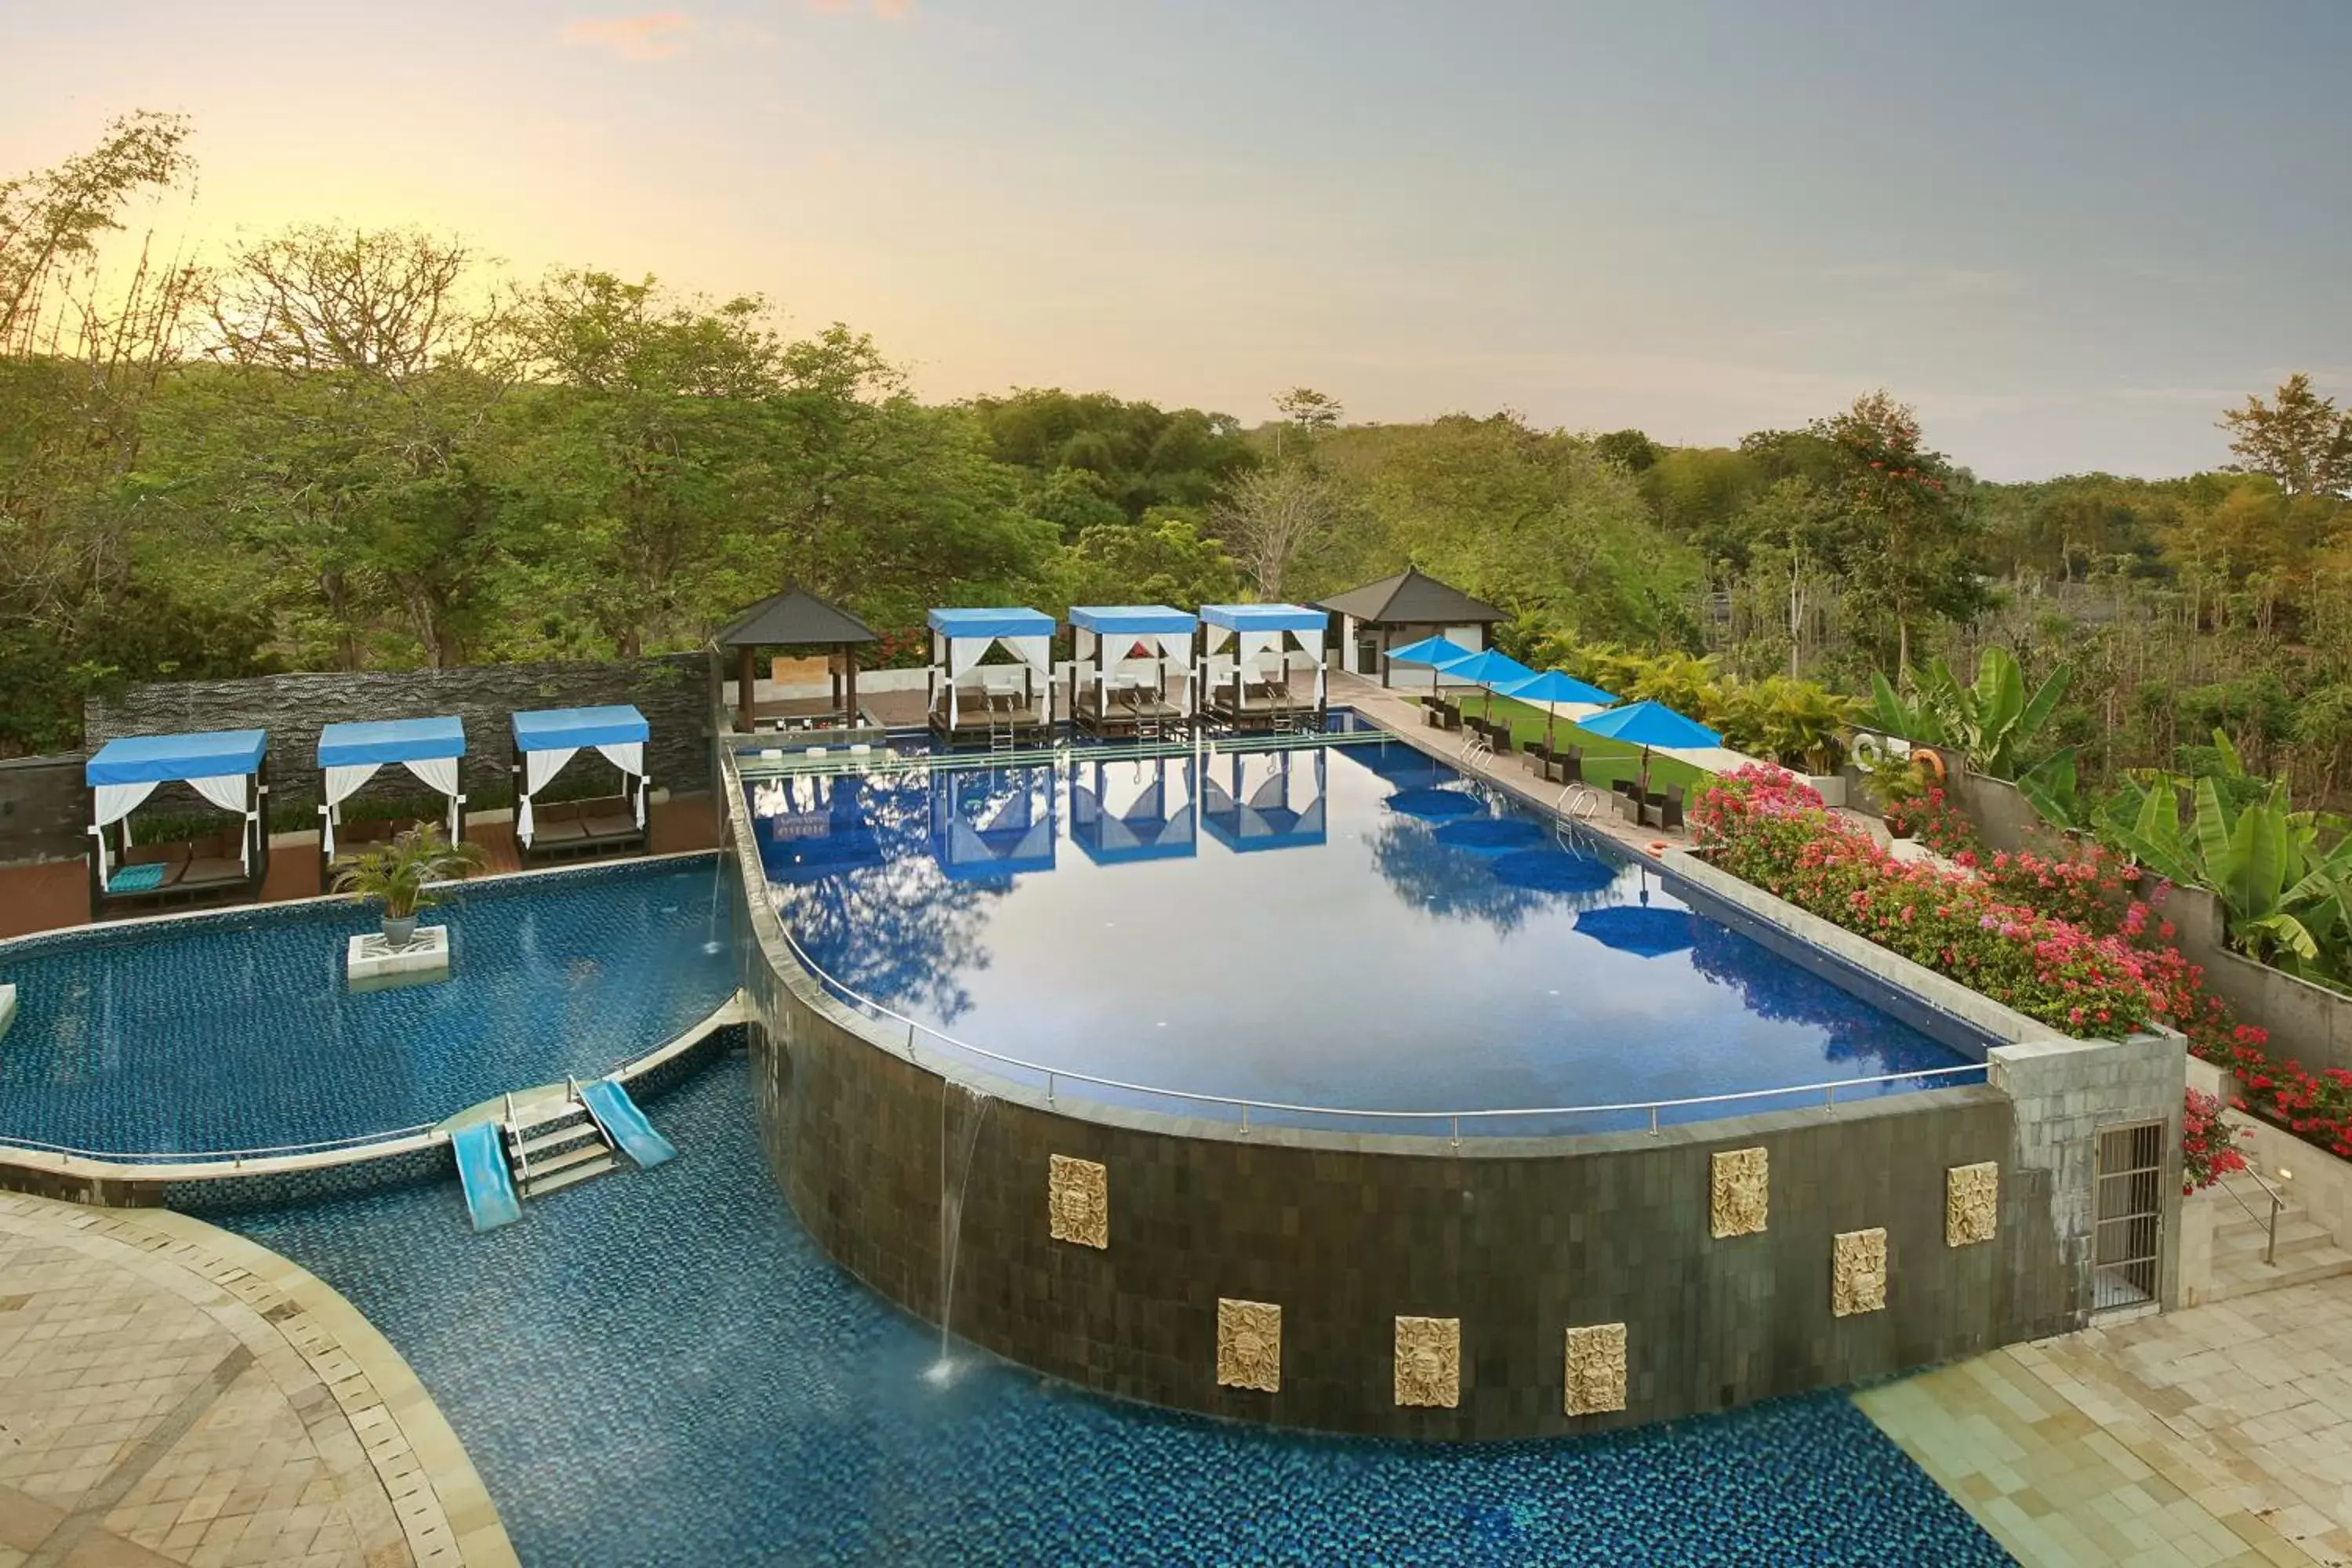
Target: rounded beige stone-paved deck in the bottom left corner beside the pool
[173, 1395]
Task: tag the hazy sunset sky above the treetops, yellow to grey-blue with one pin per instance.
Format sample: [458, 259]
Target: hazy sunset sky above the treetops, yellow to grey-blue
[2071, 234]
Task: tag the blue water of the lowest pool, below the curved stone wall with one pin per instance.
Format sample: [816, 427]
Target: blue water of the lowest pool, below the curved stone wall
[664, 1369]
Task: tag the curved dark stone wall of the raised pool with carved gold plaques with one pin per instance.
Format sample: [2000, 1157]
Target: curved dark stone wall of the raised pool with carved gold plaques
[1130, 1252]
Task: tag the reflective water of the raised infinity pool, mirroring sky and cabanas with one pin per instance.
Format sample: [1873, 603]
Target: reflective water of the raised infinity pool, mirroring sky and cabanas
[1339, 927]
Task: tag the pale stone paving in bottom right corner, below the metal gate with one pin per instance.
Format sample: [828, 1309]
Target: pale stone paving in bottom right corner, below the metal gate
[2207, 1438]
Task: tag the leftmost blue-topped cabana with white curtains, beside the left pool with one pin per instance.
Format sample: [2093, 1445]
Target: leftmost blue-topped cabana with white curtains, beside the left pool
[227, 770]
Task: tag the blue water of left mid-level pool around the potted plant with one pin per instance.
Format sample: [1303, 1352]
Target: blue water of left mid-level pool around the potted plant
[241, 1033]
